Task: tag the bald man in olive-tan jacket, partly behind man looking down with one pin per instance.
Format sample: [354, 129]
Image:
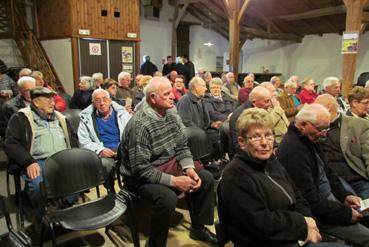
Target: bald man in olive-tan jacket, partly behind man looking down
[347, 147]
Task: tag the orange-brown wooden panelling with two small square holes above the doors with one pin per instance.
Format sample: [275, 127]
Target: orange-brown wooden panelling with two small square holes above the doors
[87, 15]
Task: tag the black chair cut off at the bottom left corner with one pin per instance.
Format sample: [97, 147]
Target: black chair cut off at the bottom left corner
[15, 238]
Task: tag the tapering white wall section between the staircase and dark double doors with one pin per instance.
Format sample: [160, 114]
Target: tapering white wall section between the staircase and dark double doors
[59, 52]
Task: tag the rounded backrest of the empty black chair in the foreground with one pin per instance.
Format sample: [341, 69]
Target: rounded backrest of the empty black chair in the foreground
[71, 171]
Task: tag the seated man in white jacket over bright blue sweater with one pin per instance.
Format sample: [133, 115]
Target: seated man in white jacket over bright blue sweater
[101, 128]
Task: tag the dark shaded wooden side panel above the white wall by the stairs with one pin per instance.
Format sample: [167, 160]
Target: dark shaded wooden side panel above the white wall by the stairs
[54, 18]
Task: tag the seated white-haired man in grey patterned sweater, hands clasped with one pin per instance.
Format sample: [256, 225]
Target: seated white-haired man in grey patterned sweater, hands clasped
[151, 140]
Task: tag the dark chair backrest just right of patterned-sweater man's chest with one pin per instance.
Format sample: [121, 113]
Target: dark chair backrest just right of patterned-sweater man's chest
[198, 142]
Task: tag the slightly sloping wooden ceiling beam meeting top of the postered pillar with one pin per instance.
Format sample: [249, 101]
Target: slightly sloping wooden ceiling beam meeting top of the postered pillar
[312, 13]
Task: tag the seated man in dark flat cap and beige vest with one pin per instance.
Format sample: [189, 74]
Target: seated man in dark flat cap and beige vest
[33, 134]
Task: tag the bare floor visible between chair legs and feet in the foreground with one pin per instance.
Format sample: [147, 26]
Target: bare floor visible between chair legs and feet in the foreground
[178, 233]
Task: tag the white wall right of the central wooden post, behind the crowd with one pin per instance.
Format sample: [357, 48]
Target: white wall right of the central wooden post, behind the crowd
[316, 57]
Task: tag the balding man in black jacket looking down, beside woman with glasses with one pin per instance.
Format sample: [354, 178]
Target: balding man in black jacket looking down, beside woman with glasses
[336, 210]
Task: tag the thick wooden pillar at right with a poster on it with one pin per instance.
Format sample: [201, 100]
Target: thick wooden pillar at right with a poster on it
[353, 23]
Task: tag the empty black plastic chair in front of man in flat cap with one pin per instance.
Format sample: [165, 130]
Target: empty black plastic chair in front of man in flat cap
[70, 172]
